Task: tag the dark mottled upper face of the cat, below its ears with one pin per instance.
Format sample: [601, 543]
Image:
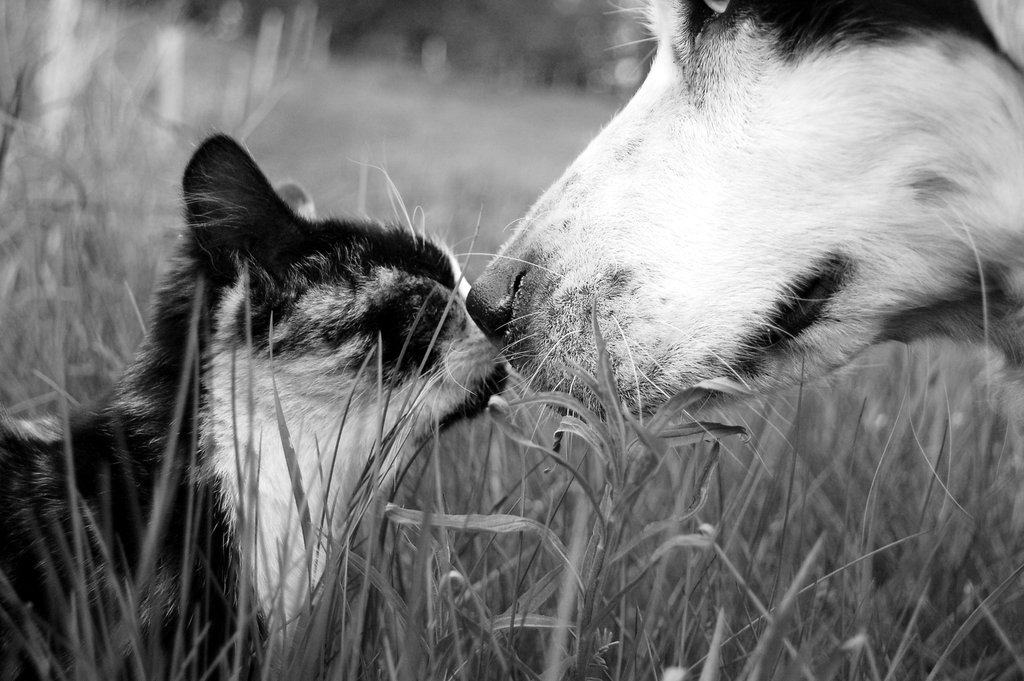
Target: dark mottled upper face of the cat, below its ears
[343, 288]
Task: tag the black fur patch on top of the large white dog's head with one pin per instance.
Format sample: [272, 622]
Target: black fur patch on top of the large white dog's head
[804, 26]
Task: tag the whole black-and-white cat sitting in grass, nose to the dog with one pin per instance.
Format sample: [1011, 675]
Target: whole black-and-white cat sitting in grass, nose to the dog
[290, 365]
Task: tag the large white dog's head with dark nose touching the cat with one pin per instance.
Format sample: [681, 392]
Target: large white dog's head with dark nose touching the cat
[794, 182]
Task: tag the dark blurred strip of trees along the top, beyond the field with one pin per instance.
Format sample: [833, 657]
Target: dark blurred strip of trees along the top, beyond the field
[584, 45]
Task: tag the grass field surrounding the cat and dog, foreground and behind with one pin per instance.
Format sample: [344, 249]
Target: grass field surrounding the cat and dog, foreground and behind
[868, 529]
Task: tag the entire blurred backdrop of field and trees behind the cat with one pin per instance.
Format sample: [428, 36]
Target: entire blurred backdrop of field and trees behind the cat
[451, 114]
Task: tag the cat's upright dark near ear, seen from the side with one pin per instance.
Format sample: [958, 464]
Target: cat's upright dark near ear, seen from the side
[232, 209]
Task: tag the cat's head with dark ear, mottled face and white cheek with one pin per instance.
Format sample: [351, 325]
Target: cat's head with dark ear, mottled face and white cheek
[340, 320]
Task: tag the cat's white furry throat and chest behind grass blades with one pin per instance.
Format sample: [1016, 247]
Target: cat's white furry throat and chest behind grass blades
[294, 465]
